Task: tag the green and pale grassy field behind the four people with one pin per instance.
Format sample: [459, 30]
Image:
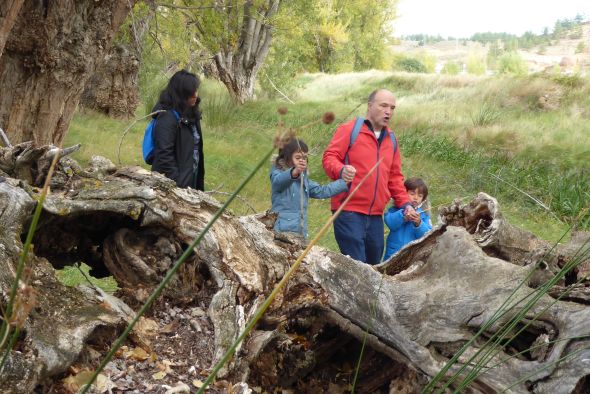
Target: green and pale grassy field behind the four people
[464, 134]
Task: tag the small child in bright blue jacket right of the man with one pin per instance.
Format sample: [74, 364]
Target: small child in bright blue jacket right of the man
[404, 229]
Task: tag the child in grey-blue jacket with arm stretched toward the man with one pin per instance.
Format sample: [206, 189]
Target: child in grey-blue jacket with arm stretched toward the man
[286, 175]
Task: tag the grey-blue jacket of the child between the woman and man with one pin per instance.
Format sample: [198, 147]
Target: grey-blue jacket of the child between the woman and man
[286, 201]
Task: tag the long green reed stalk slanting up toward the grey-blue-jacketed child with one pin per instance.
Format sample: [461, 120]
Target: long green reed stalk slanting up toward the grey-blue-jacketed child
[172, 271]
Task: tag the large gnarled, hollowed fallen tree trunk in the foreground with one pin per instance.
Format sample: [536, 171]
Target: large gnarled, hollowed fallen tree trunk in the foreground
[418, 308]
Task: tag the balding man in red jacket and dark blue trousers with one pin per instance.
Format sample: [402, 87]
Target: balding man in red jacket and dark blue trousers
[359, 227]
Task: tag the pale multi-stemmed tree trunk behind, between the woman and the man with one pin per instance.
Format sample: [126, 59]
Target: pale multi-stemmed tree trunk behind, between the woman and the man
[237, 65]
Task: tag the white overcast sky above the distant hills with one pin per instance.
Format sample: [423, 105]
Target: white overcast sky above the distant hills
[462, 18]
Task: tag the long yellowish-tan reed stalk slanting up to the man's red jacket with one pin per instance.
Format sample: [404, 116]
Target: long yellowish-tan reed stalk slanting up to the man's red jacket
[258, 314]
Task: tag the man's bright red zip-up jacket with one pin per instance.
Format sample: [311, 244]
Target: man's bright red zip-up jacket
[386, 182]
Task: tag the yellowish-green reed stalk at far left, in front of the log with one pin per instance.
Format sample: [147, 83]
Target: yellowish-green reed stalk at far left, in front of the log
[5, 329]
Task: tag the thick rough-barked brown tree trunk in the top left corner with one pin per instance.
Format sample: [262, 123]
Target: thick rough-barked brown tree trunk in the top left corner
[50, 54]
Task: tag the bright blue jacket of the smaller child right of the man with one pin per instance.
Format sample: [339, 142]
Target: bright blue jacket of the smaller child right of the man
[401, 232]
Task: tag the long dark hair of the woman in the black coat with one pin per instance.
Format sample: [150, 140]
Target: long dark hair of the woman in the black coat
[182, 86]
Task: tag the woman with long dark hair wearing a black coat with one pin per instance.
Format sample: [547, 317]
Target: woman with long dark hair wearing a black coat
[178, 141]
